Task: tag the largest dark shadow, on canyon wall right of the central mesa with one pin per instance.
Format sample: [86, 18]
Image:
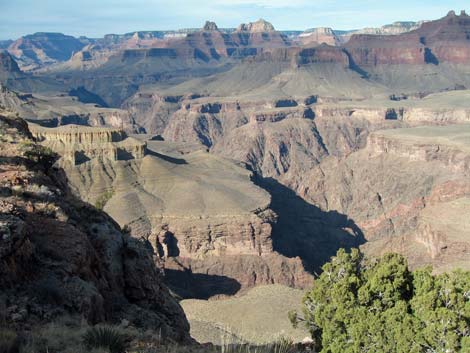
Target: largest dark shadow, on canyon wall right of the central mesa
[305, 230]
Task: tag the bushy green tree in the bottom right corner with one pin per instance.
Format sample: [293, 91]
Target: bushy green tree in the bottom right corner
[379, 305]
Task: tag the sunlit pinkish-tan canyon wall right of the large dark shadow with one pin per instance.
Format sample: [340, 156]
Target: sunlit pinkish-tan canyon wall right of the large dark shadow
[399, 190]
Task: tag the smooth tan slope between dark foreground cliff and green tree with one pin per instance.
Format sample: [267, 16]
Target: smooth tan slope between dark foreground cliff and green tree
[257, 317]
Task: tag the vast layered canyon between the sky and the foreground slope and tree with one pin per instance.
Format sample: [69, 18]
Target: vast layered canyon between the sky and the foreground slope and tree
[248, 156]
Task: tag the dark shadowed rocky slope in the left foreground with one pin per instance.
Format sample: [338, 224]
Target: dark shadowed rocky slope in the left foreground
[61, 256]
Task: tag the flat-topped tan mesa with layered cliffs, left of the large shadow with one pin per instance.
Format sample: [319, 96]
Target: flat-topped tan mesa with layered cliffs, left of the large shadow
[200, 213]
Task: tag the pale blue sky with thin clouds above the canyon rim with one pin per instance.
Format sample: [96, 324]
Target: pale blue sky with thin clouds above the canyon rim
[94, 18]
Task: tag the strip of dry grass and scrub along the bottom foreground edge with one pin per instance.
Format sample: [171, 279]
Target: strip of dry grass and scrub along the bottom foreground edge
[71, 335]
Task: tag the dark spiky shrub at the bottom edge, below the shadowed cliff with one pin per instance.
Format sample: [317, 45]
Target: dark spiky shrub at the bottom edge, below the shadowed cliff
[105, 337]
